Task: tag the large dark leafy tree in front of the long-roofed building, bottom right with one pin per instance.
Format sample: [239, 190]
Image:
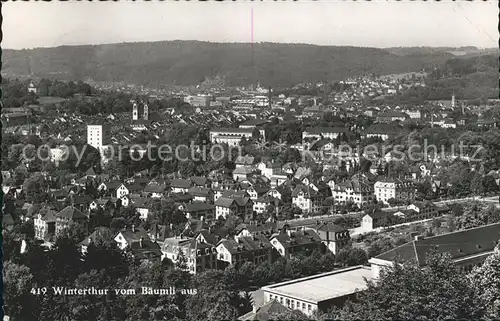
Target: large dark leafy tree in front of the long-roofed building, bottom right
[407, 291]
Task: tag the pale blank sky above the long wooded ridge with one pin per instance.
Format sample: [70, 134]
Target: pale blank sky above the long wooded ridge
[379, 23]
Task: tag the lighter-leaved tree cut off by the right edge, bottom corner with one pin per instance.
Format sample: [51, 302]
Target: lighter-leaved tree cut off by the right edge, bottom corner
[486, 283]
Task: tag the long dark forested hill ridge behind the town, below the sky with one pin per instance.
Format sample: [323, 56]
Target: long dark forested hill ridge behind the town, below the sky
[191, 62]
